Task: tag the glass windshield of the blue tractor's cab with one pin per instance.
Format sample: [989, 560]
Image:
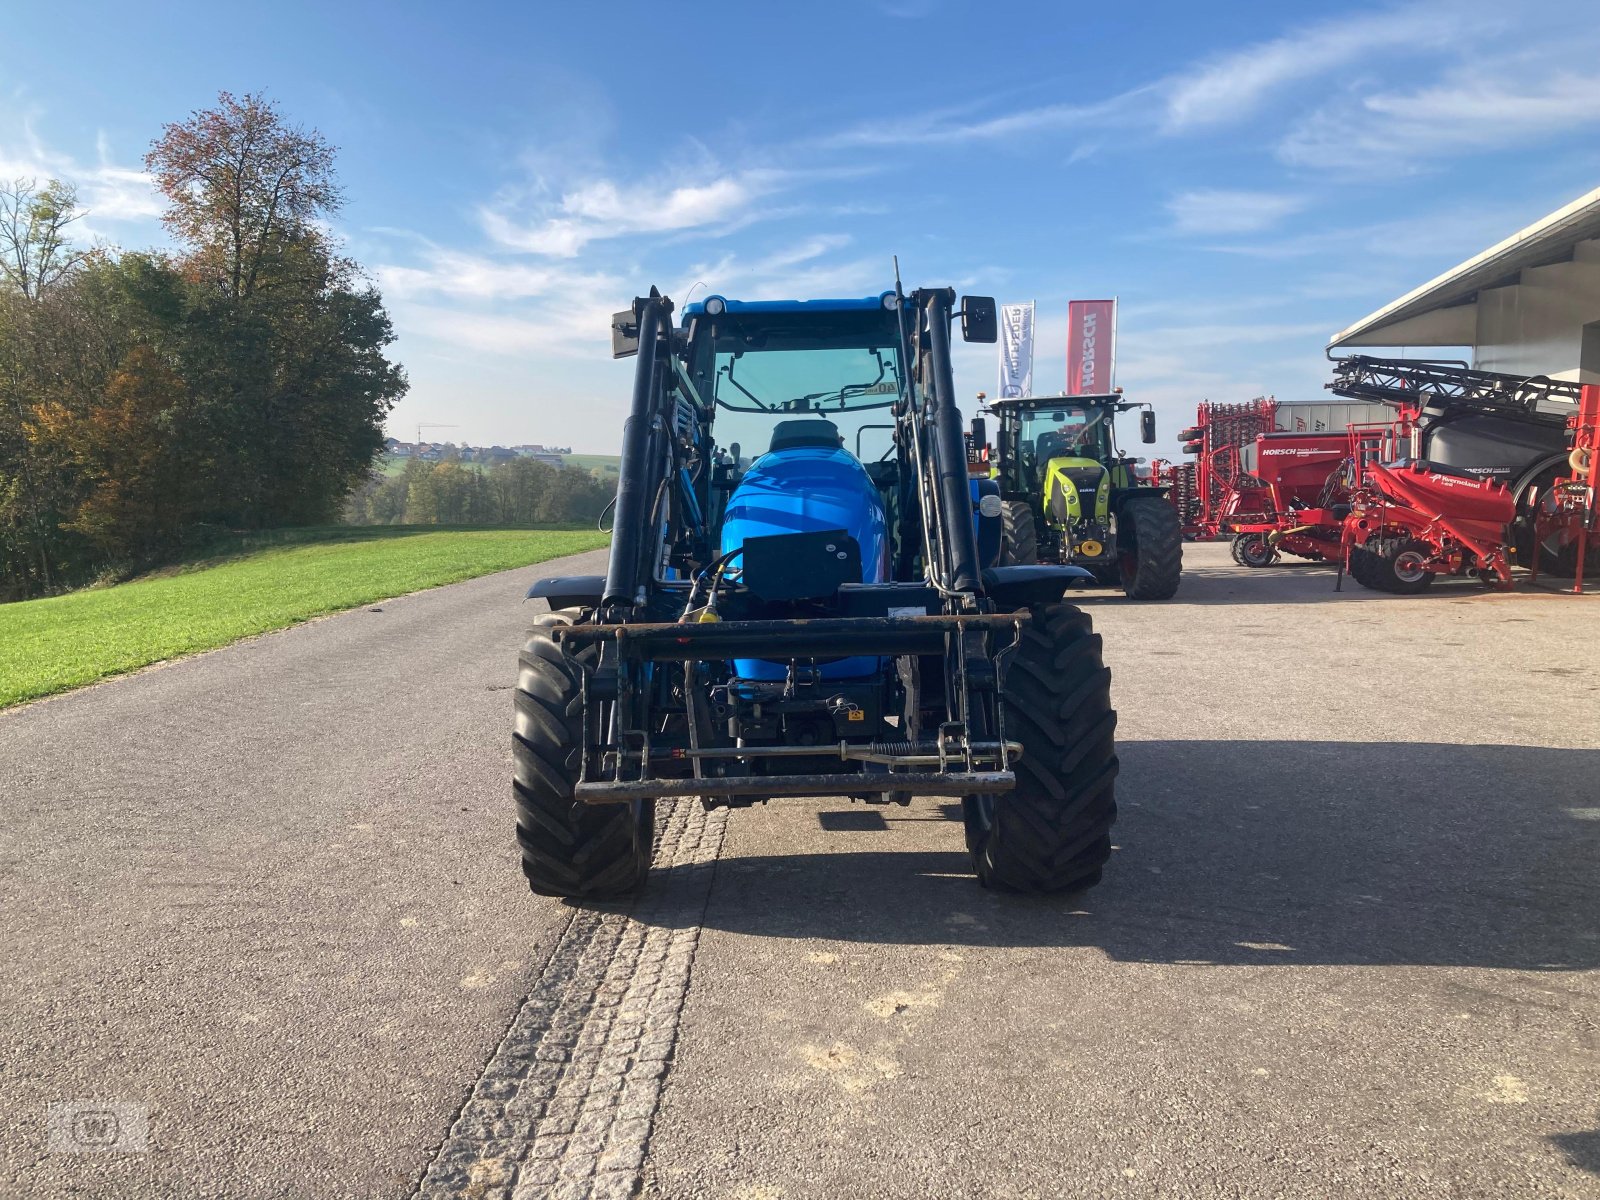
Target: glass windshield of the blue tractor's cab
[842, 370]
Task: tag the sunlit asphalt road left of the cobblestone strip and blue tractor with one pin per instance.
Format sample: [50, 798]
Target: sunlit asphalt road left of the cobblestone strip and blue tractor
[268, 892]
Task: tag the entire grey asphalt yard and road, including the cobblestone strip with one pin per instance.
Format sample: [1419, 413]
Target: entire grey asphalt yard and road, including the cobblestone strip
[1348, 943]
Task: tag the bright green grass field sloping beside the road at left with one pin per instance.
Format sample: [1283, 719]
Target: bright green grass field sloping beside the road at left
[70, 641]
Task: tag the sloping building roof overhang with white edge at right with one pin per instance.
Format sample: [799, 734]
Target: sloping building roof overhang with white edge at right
[1441, 311]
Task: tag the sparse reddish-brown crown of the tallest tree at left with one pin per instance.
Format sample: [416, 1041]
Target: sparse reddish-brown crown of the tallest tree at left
[244, 188]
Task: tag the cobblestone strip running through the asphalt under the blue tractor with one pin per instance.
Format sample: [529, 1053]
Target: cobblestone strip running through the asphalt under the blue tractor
[564, 1106]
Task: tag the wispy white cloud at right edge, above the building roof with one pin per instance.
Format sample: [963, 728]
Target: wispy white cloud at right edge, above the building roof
[1468, 111]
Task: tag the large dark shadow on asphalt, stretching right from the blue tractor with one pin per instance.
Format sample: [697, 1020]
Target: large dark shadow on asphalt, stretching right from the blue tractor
[1239, 854]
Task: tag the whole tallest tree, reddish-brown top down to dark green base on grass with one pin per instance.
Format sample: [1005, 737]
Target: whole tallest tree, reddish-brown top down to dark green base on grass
[289, 370]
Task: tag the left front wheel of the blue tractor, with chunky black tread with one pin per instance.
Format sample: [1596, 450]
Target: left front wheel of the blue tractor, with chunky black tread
[569, 849]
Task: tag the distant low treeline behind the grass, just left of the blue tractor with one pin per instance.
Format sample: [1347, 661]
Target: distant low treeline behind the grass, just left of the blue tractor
[522, 492]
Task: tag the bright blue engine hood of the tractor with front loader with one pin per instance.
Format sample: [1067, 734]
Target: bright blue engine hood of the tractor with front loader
[809, 489]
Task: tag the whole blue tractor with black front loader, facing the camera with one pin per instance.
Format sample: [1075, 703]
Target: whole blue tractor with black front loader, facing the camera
[804, 598]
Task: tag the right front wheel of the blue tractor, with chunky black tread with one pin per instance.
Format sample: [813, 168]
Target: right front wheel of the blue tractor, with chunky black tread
[1052, 833]
